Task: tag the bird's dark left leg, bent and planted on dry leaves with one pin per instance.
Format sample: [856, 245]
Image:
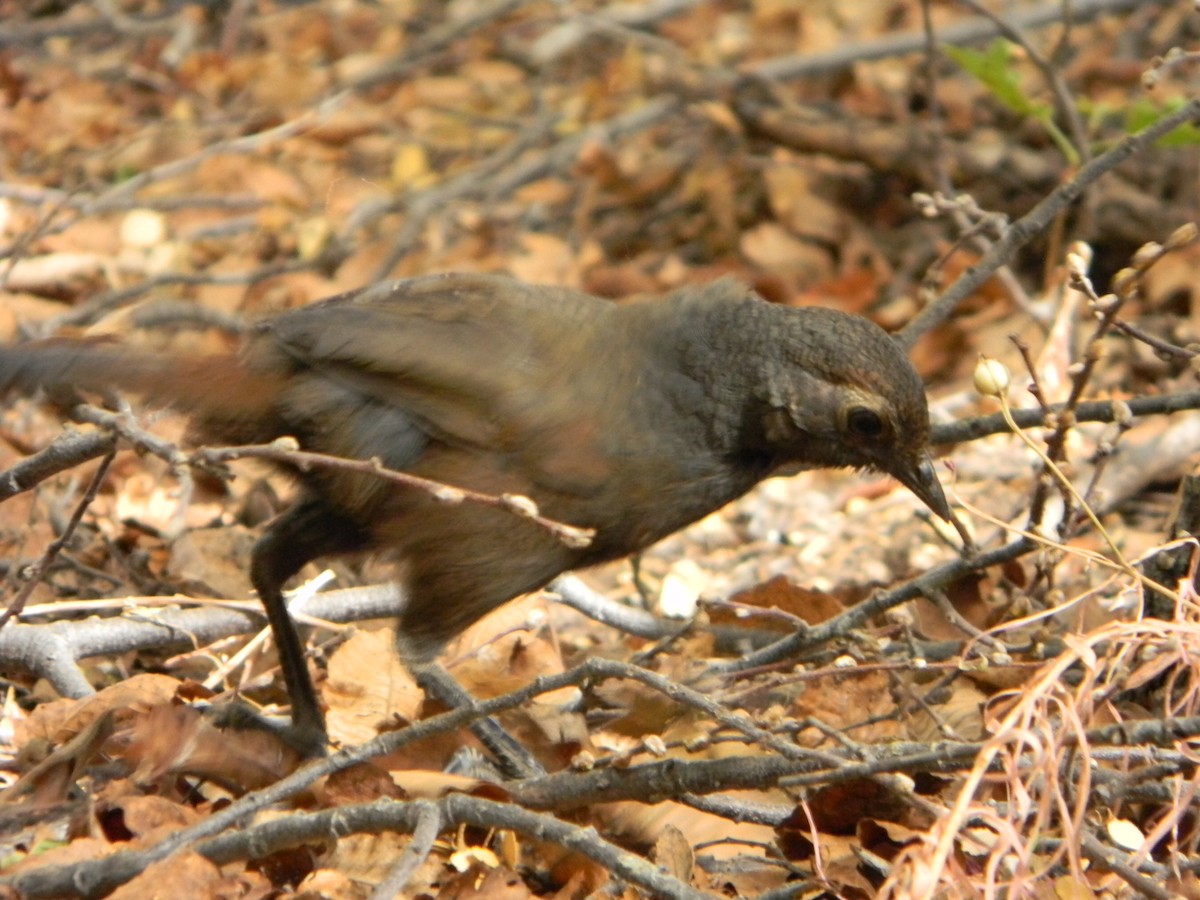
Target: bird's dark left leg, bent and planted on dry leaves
[303, 533]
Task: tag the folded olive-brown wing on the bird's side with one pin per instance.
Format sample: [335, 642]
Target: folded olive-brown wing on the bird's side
[478, 363]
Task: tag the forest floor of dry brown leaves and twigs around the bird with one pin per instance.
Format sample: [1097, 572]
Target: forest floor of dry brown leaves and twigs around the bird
[1021, 723]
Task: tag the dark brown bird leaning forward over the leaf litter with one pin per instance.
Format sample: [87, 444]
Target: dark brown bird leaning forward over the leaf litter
[633, 419]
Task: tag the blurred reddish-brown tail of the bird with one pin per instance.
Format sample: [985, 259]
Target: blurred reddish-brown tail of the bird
[226, 399]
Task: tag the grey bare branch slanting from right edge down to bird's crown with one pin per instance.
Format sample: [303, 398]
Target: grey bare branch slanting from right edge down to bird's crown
[1042, 215]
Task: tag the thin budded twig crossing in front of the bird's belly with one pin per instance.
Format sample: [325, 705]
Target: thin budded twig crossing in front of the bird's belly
[283, 453]
